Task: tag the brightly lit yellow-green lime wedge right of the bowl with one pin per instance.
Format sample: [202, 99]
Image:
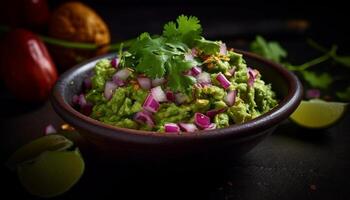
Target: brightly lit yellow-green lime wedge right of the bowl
[317, 114]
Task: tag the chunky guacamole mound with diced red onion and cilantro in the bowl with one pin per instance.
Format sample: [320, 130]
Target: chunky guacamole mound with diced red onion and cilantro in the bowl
[174, 84]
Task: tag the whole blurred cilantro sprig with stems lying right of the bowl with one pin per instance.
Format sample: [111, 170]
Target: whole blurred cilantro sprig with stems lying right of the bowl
[272, 50]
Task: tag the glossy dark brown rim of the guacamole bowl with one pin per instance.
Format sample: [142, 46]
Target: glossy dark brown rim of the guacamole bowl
[282, 111]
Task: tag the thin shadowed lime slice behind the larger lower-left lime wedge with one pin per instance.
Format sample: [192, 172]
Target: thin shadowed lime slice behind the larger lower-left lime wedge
[33, 149]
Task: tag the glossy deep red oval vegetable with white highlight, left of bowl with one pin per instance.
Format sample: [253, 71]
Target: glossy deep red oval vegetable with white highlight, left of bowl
[27, 68]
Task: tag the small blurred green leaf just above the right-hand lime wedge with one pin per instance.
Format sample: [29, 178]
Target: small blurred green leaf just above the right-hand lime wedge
[321, 81]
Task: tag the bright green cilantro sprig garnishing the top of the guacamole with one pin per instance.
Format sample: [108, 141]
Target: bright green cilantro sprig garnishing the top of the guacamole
[164, 55]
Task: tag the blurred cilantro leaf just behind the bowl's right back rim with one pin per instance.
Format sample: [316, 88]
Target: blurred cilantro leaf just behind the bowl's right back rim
[270, 50]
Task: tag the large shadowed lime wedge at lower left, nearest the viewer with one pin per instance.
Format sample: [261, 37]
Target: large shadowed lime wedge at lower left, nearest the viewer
[52, 173]
